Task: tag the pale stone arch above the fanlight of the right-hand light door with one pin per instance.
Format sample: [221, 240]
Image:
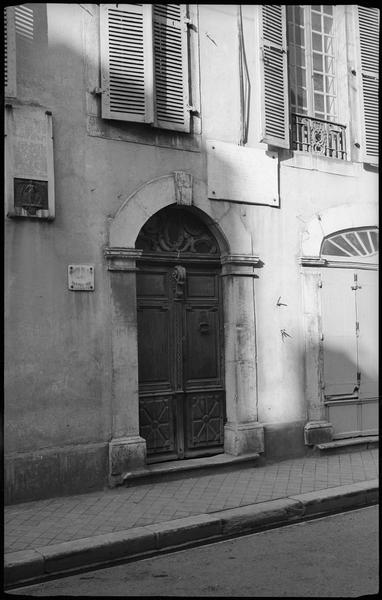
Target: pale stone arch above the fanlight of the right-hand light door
[336, 218]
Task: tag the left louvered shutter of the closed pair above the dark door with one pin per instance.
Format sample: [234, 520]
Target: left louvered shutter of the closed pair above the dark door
[126, 62]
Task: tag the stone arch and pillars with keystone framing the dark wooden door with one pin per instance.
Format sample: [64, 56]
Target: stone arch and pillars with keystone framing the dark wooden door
[243, 434]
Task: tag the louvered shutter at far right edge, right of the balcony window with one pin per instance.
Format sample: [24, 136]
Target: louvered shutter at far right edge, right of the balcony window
[368, 21]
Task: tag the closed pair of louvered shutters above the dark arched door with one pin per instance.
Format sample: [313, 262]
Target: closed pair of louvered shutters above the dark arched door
[144, 64]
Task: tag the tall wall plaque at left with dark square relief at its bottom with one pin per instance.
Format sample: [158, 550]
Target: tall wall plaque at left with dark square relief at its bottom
[29, 176]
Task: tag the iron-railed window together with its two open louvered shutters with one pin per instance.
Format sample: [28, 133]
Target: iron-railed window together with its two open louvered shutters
[301, 78]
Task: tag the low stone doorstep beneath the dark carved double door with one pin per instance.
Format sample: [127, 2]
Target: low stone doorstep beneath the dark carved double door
[188, 467]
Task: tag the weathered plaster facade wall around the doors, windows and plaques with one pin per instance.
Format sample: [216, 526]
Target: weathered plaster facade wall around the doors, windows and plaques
[58, 343]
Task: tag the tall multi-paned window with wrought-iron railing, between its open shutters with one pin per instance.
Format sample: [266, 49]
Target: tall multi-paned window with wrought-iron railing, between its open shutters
[313, 81]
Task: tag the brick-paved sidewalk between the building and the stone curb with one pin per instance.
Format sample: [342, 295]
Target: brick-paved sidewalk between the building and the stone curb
[41, 523]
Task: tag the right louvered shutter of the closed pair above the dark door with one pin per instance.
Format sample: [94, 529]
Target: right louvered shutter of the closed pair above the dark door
[171, 66]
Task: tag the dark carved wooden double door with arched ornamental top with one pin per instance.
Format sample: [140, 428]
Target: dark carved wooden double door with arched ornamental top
[180, 337]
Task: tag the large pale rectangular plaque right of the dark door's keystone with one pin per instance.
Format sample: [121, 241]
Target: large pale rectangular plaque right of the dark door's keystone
[242, 174]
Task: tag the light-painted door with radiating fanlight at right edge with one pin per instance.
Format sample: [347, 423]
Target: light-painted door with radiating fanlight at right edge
[349, 313]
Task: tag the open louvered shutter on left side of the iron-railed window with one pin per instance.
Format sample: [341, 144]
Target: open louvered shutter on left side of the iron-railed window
[274, 75]
